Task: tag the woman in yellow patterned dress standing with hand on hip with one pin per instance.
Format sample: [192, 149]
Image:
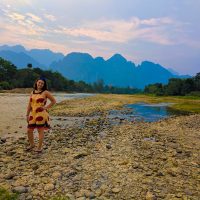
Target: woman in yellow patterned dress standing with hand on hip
[37, 112]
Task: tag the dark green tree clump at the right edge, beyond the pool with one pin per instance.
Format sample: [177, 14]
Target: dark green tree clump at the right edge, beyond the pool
[176, 87]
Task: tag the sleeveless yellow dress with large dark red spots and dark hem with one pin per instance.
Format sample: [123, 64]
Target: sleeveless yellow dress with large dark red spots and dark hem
[38, 118]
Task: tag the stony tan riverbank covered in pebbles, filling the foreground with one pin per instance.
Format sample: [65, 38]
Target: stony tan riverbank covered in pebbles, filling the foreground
[94, 159]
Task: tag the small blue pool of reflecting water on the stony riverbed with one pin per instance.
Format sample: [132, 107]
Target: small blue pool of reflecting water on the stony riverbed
[143, 112]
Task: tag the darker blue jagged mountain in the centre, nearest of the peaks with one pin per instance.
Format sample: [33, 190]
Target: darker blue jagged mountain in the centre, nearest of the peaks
[116, 71]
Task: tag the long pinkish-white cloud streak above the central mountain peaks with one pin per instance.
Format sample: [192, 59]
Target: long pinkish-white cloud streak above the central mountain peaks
[121, 31]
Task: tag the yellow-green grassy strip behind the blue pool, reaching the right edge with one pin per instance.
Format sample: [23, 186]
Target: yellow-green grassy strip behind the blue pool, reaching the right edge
[100, 104]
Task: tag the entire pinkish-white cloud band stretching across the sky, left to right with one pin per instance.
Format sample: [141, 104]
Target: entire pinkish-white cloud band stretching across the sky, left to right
[163, 31]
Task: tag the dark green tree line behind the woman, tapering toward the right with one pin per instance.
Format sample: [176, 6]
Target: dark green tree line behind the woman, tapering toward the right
[11, 77]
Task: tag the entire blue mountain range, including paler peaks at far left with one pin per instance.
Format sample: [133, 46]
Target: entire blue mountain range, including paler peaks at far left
[116, 70]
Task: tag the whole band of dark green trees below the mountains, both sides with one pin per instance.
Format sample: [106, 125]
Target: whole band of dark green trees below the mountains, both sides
[11, 77]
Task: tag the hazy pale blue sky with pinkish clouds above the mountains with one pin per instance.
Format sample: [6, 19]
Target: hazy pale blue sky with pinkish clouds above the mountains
[162, 31]
